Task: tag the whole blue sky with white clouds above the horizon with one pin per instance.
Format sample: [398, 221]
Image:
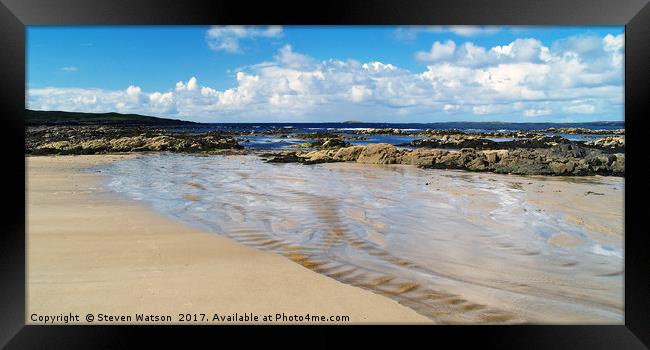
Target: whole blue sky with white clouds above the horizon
[330, 73]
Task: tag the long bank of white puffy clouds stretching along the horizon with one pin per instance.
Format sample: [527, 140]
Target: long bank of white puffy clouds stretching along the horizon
[520, 79]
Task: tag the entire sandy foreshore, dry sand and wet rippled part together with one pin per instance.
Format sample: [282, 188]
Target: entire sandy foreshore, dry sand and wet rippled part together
[169, 234]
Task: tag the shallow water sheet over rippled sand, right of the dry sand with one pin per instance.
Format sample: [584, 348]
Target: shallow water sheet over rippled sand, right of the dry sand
[455, 246]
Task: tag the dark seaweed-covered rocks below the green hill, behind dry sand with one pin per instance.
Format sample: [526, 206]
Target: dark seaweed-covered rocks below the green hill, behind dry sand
[103, 139]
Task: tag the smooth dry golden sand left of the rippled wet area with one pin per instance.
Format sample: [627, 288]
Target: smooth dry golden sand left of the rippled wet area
[90, 251]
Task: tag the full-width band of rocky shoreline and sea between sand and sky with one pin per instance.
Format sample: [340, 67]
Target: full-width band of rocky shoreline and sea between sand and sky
[508, 152]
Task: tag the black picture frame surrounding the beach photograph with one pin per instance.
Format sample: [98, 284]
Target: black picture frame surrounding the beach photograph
[634, 14]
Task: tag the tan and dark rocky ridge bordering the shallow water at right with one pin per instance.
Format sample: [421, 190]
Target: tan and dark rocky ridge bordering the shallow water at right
[560, 159]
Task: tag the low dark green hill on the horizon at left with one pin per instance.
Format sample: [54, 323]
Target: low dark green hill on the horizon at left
[78, 118]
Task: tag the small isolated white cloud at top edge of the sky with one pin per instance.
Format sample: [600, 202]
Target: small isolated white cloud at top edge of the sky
[228, 38]
